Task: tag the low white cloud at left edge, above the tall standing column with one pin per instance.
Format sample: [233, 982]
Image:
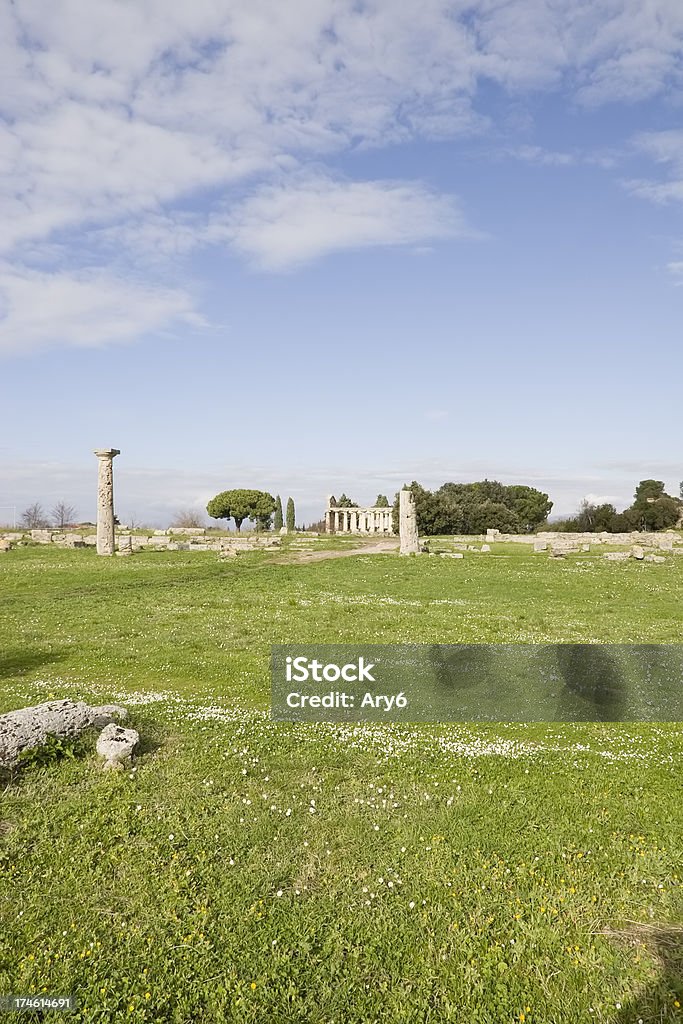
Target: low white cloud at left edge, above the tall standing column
[39, 311]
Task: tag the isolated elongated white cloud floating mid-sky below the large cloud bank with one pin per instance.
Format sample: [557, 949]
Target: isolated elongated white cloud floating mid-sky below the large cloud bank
[281, 227]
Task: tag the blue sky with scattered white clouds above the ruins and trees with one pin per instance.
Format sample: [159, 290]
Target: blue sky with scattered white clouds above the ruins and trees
[338, 245]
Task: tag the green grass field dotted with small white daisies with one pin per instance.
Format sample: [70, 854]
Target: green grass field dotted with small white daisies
[252, 871]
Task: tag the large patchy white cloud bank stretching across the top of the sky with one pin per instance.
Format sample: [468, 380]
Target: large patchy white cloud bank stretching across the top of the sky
[115, 108]
